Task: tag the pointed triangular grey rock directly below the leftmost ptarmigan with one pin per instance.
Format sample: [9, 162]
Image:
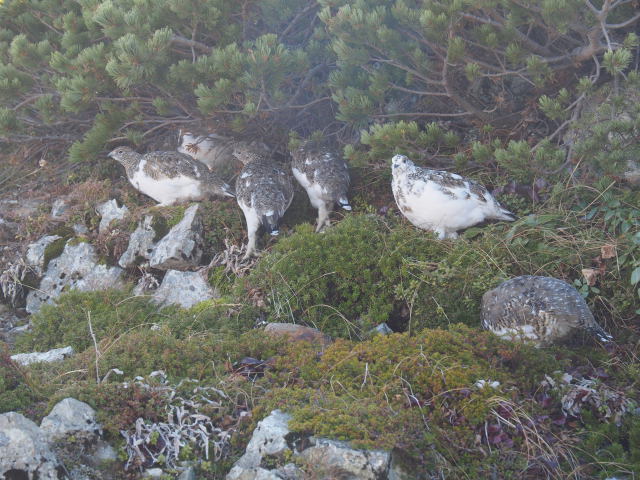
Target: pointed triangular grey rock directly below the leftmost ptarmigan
[181, 248]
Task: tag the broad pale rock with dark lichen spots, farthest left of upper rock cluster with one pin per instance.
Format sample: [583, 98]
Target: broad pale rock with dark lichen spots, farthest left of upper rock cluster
[77, 268]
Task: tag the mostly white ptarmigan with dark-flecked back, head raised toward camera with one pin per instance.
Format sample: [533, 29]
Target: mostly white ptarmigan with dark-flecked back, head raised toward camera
[440, 201]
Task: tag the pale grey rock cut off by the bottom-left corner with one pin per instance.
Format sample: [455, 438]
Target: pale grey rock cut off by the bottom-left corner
[25, 451]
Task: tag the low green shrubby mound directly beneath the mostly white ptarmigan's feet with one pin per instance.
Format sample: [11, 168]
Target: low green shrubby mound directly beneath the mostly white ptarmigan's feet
[367, 270]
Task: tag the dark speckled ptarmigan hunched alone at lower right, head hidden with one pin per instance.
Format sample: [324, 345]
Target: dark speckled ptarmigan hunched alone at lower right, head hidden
[542, 310]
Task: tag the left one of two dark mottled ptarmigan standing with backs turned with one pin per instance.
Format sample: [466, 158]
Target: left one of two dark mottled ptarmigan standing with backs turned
[264, 192]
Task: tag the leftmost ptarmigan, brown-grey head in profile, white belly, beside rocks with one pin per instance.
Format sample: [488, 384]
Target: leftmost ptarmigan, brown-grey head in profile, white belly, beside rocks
[169, 177]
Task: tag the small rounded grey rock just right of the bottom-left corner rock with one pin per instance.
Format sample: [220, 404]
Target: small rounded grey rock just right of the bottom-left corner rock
[71, 417]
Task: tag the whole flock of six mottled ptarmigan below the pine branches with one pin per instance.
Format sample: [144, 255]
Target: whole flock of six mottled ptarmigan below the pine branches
[541, 310]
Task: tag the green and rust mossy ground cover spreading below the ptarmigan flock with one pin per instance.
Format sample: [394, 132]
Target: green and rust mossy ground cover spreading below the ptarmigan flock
[413, 391]
